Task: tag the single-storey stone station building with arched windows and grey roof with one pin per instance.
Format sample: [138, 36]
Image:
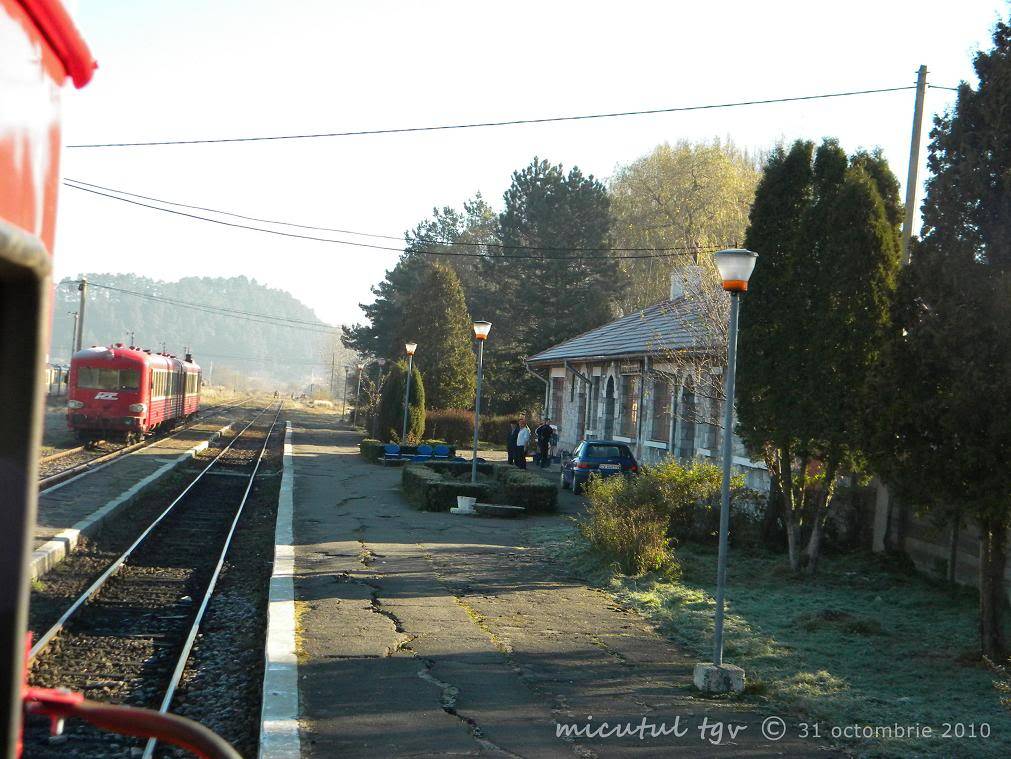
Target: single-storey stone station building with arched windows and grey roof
[653, 379]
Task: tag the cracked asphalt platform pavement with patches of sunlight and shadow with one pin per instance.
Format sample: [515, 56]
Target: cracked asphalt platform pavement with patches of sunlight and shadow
[433, 635]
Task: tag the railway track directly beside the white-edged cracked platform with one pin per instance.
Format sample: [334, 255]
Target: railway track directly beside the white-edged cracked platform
[129, 635]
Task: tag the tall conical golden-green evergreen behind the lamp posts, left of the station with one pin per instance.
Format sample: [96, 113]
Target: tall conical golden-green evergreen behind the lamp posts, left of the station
[436, 318]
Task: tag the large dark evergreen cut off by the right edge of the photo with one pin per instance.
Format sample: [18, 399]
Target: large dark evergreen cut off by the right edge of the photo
[943, 441]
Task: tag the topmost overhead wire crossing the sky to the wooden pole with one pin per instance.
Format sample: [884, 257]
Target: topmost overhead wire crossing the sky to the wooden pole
[509, 123]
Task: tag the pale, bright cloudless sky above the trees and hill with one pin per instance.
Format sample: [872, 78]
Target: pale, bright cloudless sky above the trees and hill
[201, 69]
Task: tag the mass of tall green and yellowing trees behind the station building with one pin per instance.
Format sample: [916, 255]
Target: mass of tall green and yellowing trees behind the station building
[568, 253]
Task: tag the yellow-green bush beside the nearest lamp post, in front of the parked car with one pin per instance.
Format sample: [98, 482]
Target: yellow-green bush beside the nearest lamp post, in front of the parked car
[630, 519]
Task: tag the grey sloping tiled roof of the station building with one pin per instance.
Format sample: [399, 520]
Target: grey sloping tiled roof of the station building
[666, 327]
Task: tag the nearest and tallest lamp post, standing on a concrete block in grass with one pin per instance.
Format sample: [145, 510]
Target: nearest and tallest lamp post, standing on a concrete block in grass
[736, 269]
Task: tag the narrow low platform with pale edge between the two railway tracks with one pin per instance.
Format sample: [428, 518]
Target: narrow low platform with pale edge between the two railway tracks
[79, 506]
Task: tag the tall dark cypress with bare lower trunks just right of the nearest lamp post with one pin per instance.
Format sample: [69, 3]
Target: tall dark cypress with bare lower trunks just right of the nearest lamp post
[815, 323]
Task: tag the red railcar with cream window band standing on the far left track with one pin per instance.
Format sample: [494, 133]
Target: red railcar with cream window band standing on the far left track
[127, 393]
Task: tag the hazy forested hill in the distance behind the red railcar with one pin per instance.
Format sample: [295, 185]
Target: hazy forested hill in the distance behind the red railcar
[241, 332]
